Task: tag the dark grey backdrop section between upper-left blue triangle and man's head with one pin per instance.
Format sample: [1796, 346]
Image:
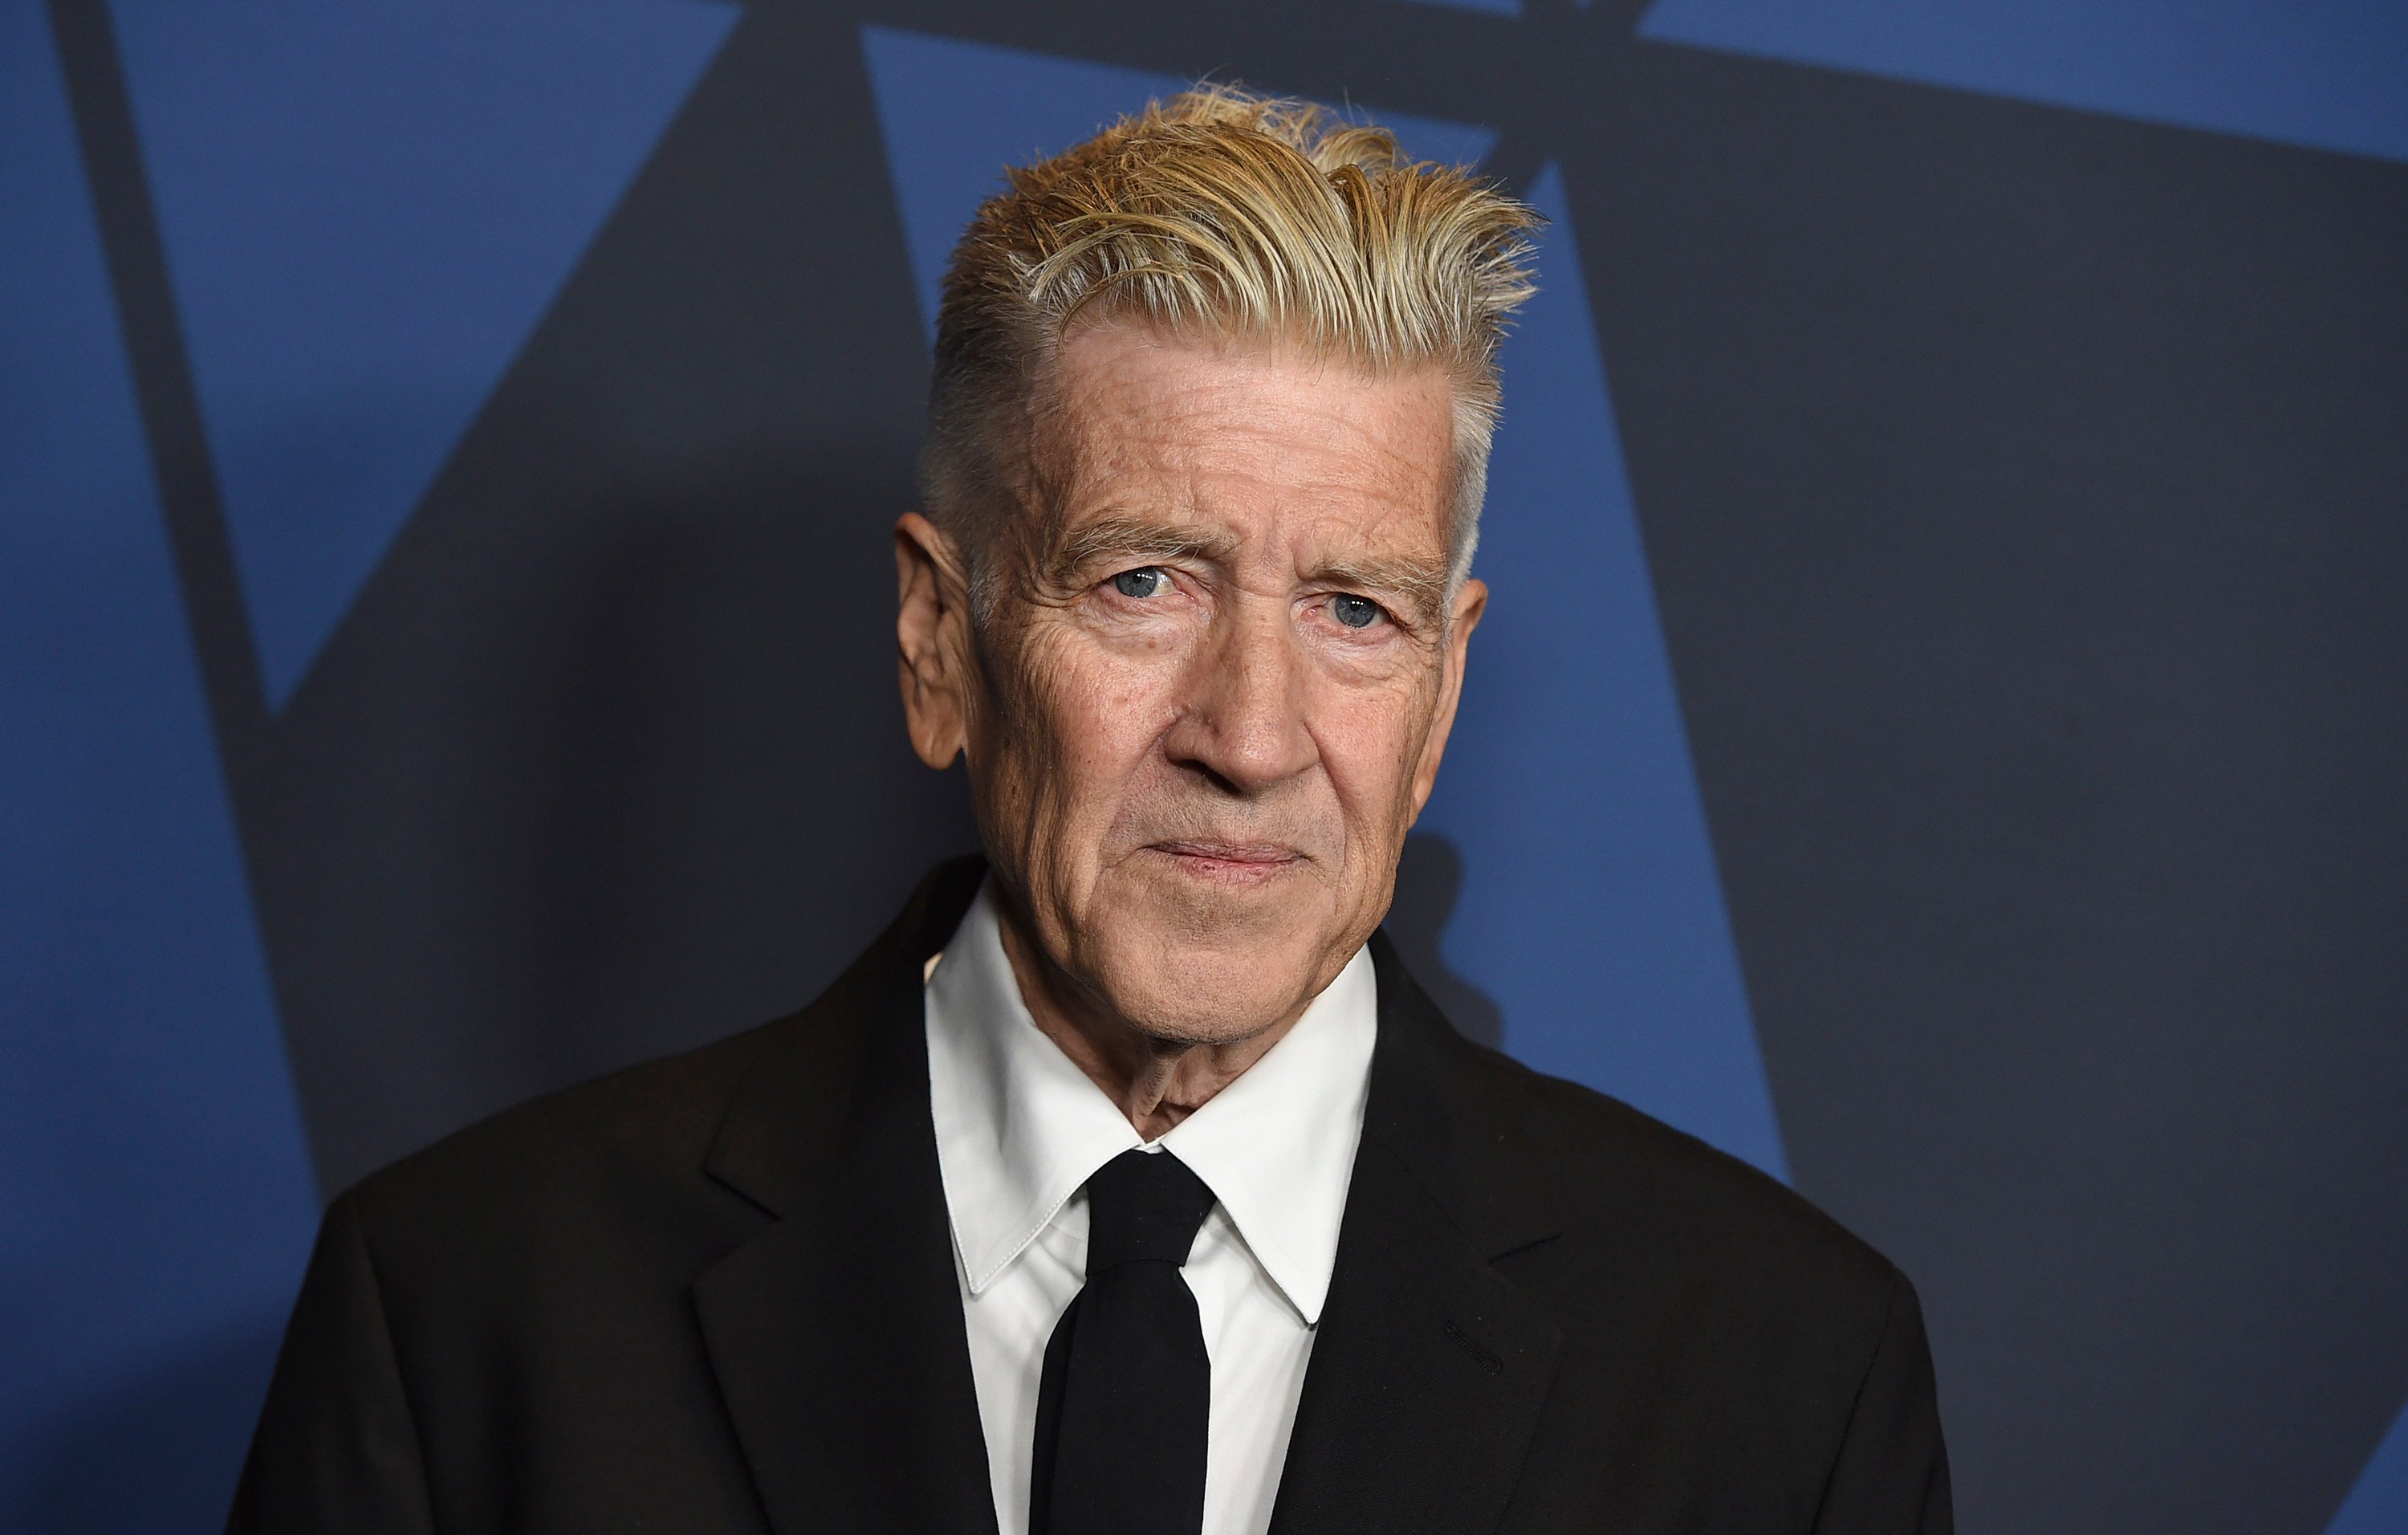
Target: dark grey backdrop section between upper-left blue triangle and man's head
[608, 755]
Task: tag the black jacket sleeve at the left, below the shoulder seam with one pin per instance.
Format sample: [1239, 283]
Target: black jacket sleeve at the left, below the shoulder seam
[336, 1447]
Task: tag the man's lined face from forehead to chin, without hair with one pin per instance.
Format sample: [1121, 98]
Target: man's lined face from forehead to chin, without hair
[1220, 674]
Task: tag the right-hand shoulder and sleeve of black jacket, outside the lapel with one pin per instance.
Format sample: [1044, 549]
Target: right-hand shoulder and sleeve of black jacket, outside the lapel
[1747, 1360]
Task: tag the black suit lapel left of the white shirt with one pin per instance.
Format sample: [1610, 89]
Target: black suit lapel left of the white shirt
[837, 1331]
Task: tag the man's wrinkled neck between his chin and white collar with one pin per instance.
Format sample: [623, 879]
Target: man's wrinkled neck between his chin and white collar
[1152, 1081]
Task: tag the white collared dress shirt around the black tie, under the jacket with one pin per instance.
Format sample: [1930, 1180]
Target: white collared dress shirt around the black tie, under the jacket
[1020, 1131]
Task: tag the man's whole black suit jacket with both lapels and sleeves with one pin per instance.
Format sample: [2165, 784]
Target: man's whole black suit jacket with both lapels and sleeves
[716, 1293]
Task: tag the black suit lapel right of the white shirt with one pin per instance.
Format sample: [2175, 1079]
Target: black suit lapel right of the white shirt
[1429, 1370]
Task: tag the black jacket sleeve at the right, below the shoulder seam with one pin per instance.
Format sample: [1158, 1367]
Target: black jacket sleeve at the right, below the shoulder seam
[1891, 1476]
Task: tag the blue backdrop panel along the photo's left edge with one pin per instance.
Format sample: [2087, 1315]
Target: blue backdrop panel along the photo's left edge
[158, 1199]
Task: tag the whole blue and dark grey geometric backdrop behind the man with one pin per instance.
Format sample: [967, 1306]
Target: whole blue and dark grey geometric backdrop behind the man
[444, 474]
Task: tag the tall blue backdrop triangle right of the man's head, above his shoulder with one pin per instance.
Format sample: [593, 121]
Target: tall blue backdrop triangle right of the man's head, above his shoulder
[1593, 907]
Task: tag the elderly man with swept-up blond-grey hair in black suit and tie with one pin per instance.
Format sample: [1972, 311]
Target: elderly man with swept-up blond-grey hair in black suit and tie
[1128, 1184]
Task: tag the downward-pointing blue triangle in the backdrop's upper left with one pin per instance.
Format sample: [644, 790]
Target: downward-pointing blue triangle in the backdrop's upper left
[367, 211]
